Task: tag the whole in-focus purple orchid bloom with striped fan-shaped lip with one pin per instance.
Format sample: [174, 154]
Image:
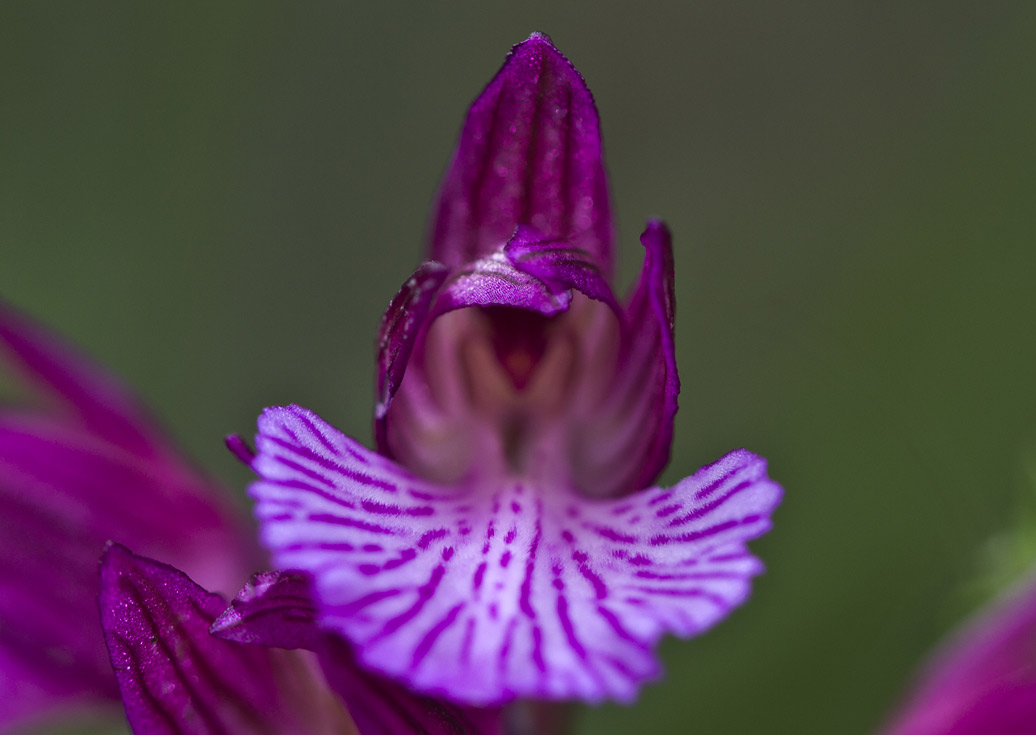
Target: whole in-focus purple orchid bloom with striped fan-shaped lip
[505, 541]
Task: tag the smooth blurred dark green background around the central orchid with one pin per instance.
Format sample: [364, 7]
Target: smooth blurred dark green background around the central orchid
[218, 202]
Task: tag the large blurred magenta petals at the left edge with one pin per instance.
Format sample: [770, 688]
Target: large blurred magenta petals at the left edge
[85, 466]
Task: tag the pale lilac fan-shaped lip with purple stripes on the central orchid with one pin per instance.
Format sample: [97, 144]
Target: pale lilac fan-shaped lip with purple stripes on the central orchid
[484, 596]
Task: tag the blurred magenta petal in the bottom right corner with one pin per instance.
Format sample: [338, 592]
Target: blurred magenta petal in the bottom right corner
[984, 681]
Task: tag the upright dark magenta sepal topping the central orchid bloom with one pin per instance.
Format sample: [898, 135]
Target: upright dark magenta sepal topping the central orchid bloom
[530, 154]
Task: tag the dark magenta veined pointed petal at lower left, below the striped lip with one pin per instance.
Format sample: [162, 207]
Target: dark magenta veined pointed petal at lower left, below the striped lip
[177, 680]
